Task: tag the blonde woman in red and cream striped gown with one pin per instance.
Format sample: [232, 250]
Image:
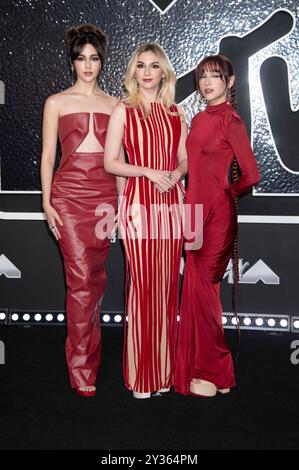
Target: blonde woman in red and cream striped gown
[153, 131]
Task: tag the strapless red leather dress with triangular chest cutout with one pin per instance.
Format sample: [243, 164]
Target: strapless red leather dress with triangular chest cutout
[79, 188]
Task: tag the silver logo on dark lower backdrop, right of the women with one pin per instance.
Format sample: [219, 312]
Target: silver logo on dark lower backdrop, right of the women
[260, 271]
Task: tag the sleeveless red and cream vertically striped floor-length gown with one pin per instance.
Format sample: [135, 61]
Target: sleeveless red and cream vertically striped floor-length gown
[152, 236]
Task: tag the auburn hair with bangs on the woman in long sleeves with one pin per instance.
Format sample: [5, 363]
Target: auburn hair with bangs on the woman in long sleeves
[221, 64]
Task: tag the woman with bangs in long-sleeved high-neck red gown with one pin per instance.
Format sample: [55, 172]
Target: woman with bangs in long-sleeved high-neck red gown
[217, 136]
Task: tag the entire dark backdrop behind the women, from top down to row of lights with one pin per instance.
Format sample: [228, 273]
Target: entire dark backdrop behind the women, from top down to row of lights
[262, 40]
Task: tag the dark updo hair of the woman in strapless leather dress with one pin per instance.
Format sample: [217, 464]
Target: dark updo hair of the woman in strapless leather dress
[78, 36]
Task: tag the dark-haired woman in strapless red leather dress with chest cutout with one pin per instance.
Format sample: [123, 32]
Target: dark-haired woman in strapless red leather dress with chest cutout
[80, 116]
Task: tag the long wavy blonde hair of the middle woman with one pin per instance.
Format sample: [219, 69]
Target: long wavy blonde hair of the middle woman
[166, 90]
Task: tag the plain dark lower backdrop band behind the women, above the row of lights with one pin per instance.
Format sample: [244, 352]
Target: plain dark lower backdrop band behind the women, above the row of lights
[32, 271]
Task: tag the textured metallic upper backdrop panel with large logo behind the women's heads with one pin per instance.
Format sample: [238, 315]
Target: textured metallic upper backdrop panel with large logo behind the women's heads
[260, 37]
